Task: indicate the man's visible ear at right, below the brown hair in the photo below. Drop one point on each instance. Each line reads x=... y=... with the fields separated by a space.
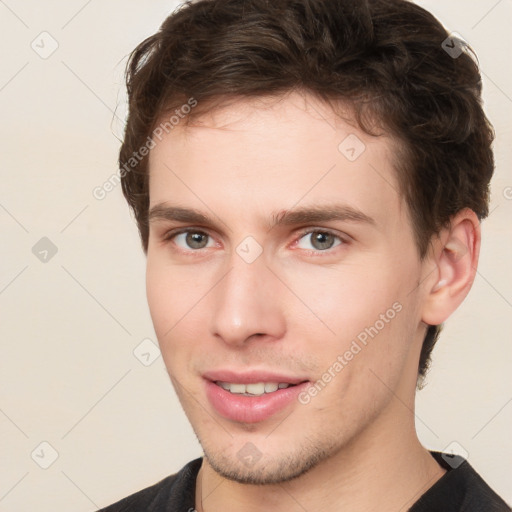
x=454 y=254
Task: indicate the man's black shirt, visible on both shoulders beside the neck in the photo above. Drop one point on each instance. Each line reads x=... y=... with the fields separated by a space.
x=460 y=489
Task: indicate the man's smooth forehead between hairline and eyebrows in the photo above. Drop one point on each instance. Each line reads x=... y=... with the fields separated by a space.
x=270 y=153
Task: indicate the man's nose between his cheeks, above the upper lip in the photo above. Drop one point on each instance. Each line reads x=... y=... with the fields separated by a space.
x=246 y=303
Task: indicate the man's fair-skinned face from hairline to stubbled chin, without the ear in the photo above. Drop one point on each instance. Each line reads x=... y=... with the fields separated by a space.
x=251 y=296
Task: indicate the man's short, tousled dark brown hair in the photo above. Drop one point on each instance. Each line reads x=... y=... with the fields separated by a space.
x=384 y=58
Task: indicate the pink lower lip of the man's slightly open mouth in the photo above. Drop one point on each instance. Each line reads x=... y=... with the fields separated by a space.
x=251 y=409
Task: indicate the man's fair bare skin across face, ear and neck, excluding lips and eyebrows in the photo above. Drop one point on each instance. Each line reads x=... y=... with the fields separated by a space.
x=297 y=307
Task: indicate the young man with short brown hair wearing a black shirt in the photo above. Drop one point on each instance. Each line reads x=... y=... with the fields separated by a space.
x=308 y=178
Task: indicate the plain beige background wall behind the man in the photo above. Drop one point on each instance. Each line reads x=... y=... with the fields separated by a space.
x=70 y=325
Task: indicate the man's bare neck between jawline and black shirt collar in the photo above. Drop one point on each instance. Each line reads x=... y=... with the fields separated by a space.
x=384 y=469
